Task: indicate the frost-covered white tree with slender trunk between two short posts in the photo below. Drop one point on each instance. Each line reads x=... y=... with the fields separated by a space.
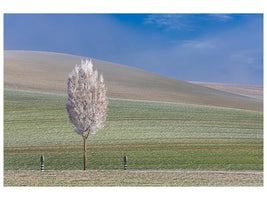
x=87 y=101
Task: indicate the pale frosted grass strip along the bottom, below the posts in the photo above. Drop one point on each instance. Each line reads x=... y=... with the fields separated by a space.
x=131 y=178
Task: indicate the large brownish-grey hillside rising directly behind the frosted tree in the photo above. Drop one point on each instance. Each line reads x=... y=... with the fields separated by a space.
x=48 y=72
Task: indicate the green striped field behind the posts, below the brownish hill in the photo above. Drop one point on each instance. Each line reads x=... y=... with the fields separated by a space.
x=154 y=136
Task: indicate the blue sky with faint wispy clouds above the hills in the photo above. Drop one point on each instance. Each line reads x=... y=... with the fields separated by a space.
x=225 y=48
